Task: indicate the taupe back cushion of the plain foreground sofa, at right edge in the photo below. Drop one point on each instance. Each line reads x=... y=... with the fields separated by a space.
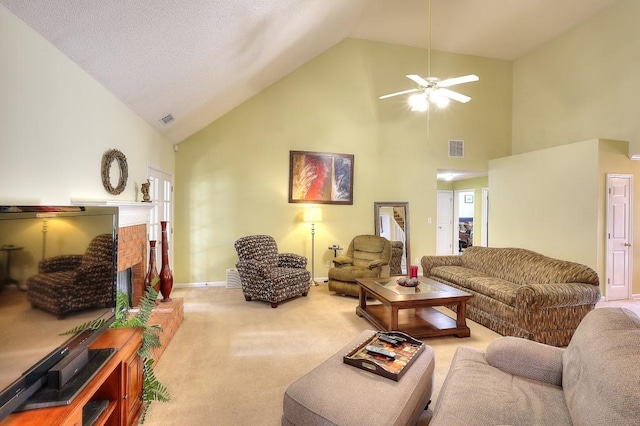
x=601 y=369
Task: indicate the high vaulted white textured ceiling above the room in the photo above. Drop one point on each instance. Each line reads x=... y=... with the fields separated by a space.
x=198 y=59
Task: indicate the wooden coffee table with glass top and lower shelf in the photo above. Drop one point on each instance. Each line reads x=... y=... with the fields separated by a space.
x=410 y=309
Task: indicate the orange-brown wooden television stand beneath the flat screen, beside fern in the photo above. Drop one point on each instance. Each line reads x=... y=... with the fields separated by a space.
x=117 y=384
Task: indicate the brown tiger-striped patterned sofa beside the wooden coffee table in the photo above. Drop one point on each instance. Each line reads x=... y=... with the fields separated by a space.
x=517 y=292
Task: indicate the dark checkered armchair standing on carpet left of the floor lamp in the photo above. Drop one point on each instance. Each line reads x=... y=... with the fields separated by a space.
x=268 y=275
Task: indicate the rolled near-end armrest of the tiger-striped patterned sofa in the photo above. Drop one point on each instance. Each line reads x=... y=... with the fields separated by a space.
x=556 y=295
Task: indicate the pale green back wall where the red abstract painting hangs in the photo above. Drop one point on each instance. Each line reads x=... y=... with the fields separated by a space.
x=232 y=177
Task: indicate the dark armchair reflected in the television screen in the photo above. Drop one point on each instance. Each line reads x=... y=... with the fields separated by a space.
x=69 y=283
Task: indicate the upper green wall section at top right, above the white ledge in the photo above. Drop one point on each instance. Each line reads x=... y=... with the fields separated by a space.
x=581 y=85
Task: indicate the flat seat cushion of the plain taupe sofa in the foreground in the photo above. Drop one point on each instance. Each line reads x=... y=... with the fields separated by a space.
x=475 y=393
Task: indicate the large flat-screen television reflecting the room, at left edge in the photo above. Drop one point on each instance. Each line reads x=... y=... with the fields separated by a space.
x=58 y=269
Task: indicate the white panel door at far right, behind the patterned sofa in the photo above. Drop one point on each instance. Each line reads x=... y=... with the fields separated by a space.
x=619 y=235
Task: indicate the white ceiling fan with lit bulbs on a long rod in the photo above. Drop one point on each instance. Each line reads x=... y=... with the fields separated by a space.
x=432 y=89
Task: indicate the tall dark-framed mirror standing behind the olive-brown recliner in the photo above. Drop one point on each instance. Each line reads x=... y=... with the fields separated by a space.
x=392 y=222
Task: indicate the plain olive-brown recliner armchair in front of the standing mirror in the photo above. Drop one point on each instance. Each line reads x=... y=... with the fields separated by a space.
x=368 y=256
